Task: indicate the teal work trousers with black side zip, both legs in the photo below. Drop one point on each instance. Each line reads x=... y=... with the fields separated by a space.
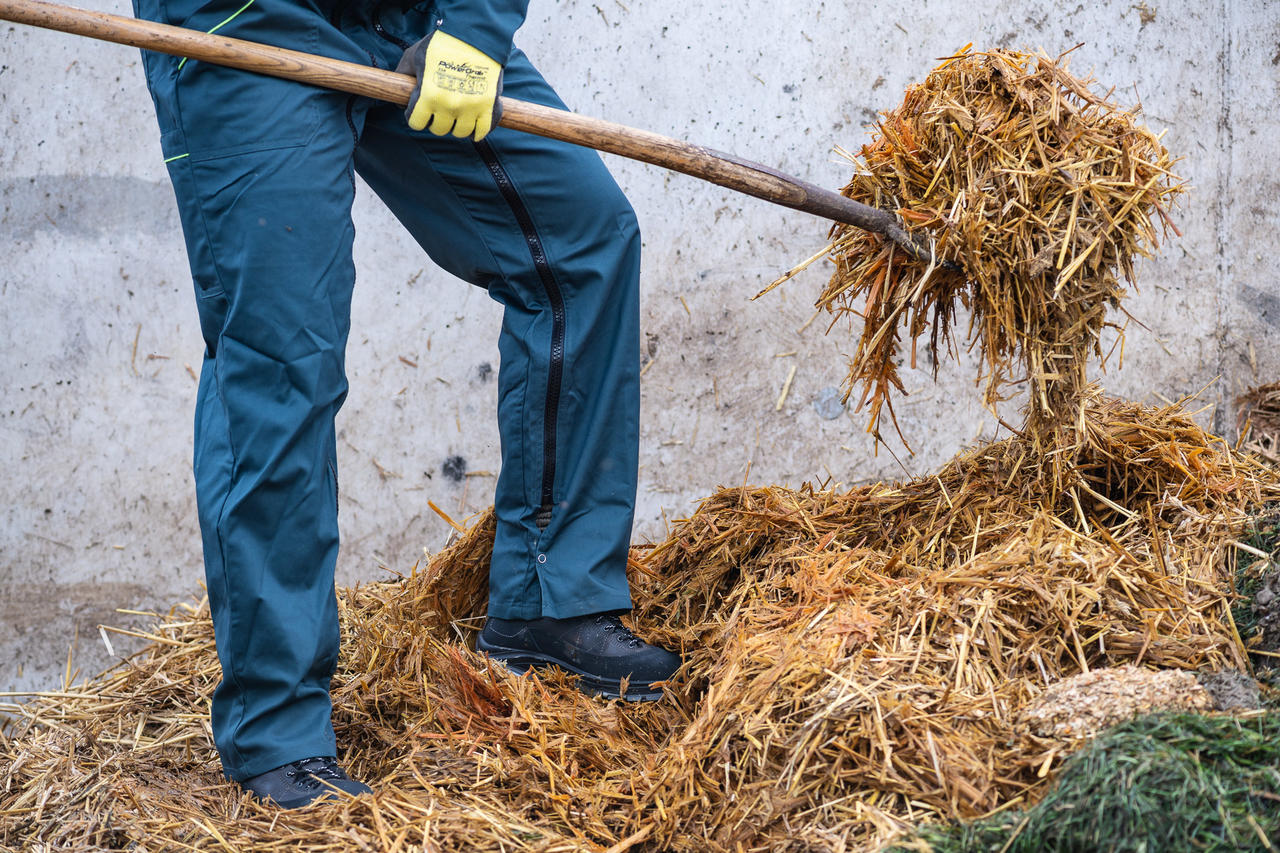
x=263 y=171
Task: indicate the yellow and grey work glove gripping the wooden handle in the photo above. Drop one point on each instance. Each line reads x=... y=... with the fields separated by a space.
x=458 y=88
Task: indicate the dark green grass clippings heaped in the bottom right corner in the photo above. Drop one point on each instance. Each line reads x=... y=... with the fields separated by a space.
x=1160 y=783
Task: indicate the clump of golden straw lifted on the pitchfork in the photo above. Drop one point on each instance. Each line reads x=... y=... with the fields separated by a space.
x=1039 y=188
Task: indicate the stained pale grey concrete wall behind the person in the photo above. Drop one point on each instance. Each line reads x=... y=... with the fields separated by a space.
x=99 y=337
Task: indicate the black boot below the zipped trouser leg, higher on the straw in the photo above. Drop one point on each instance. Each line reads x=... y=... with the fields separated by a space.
x=598 y=649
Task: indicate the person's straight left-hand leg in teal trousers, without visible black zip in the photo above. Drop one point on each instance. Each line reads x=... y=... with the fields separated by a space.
x=262 y=170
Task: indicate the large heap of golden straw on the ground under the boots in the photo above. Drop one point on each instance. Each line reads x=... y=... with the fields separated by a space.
x=856 y=664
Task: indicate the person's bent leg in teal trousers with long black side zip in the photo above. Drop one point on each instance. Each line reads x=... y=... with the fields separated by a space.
x=543 y=226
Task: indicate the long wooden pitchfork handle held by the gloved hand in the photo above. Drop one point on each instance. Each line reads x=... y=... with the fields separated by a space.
x=716 y=167
